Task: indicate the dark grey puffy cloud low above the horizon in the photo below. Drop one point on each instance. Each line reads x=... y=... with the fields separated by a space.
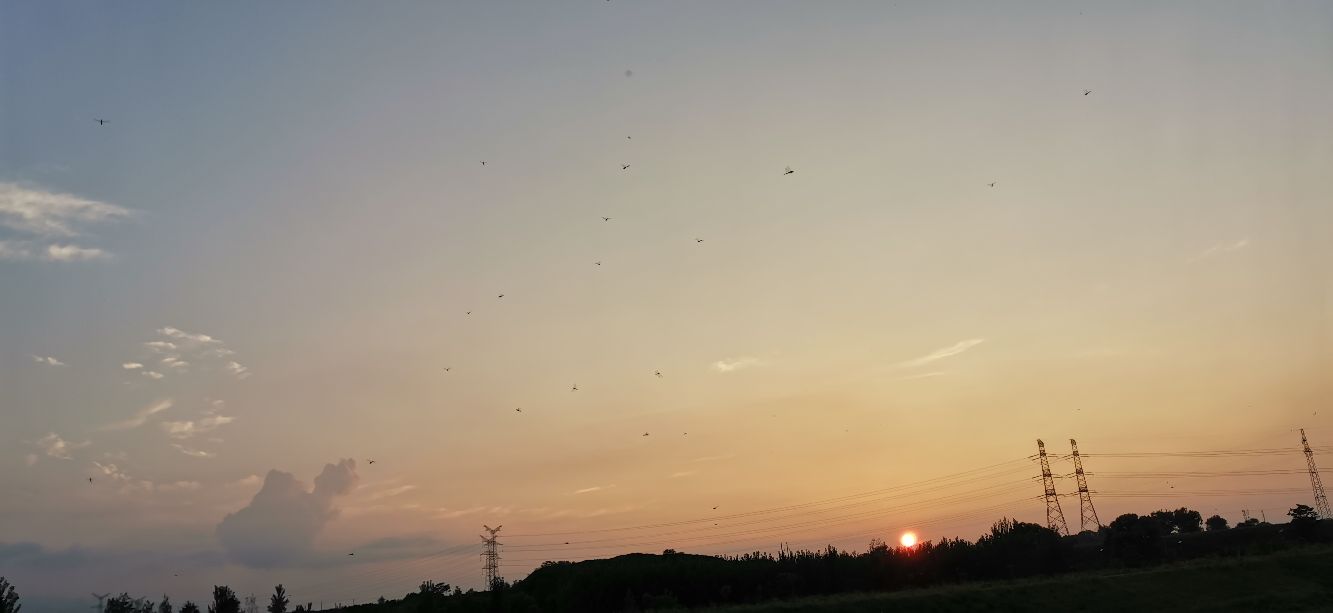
x=279 y=526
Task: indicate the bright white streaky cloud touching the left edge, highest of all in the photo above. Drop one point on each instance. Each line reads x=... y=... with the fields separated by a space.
x=41 y=215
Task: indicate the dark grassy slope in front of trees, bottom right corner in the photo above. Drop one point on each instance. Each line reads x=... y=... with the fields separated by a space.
x=1299 y=580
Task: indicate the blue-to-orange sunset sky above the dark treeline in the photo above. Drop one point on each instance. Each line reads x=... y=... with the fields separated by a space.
x=282 y=258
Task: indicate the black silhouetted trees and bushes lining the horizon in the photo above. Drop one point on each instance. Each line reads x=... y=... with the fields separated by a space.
x=971 y=575
